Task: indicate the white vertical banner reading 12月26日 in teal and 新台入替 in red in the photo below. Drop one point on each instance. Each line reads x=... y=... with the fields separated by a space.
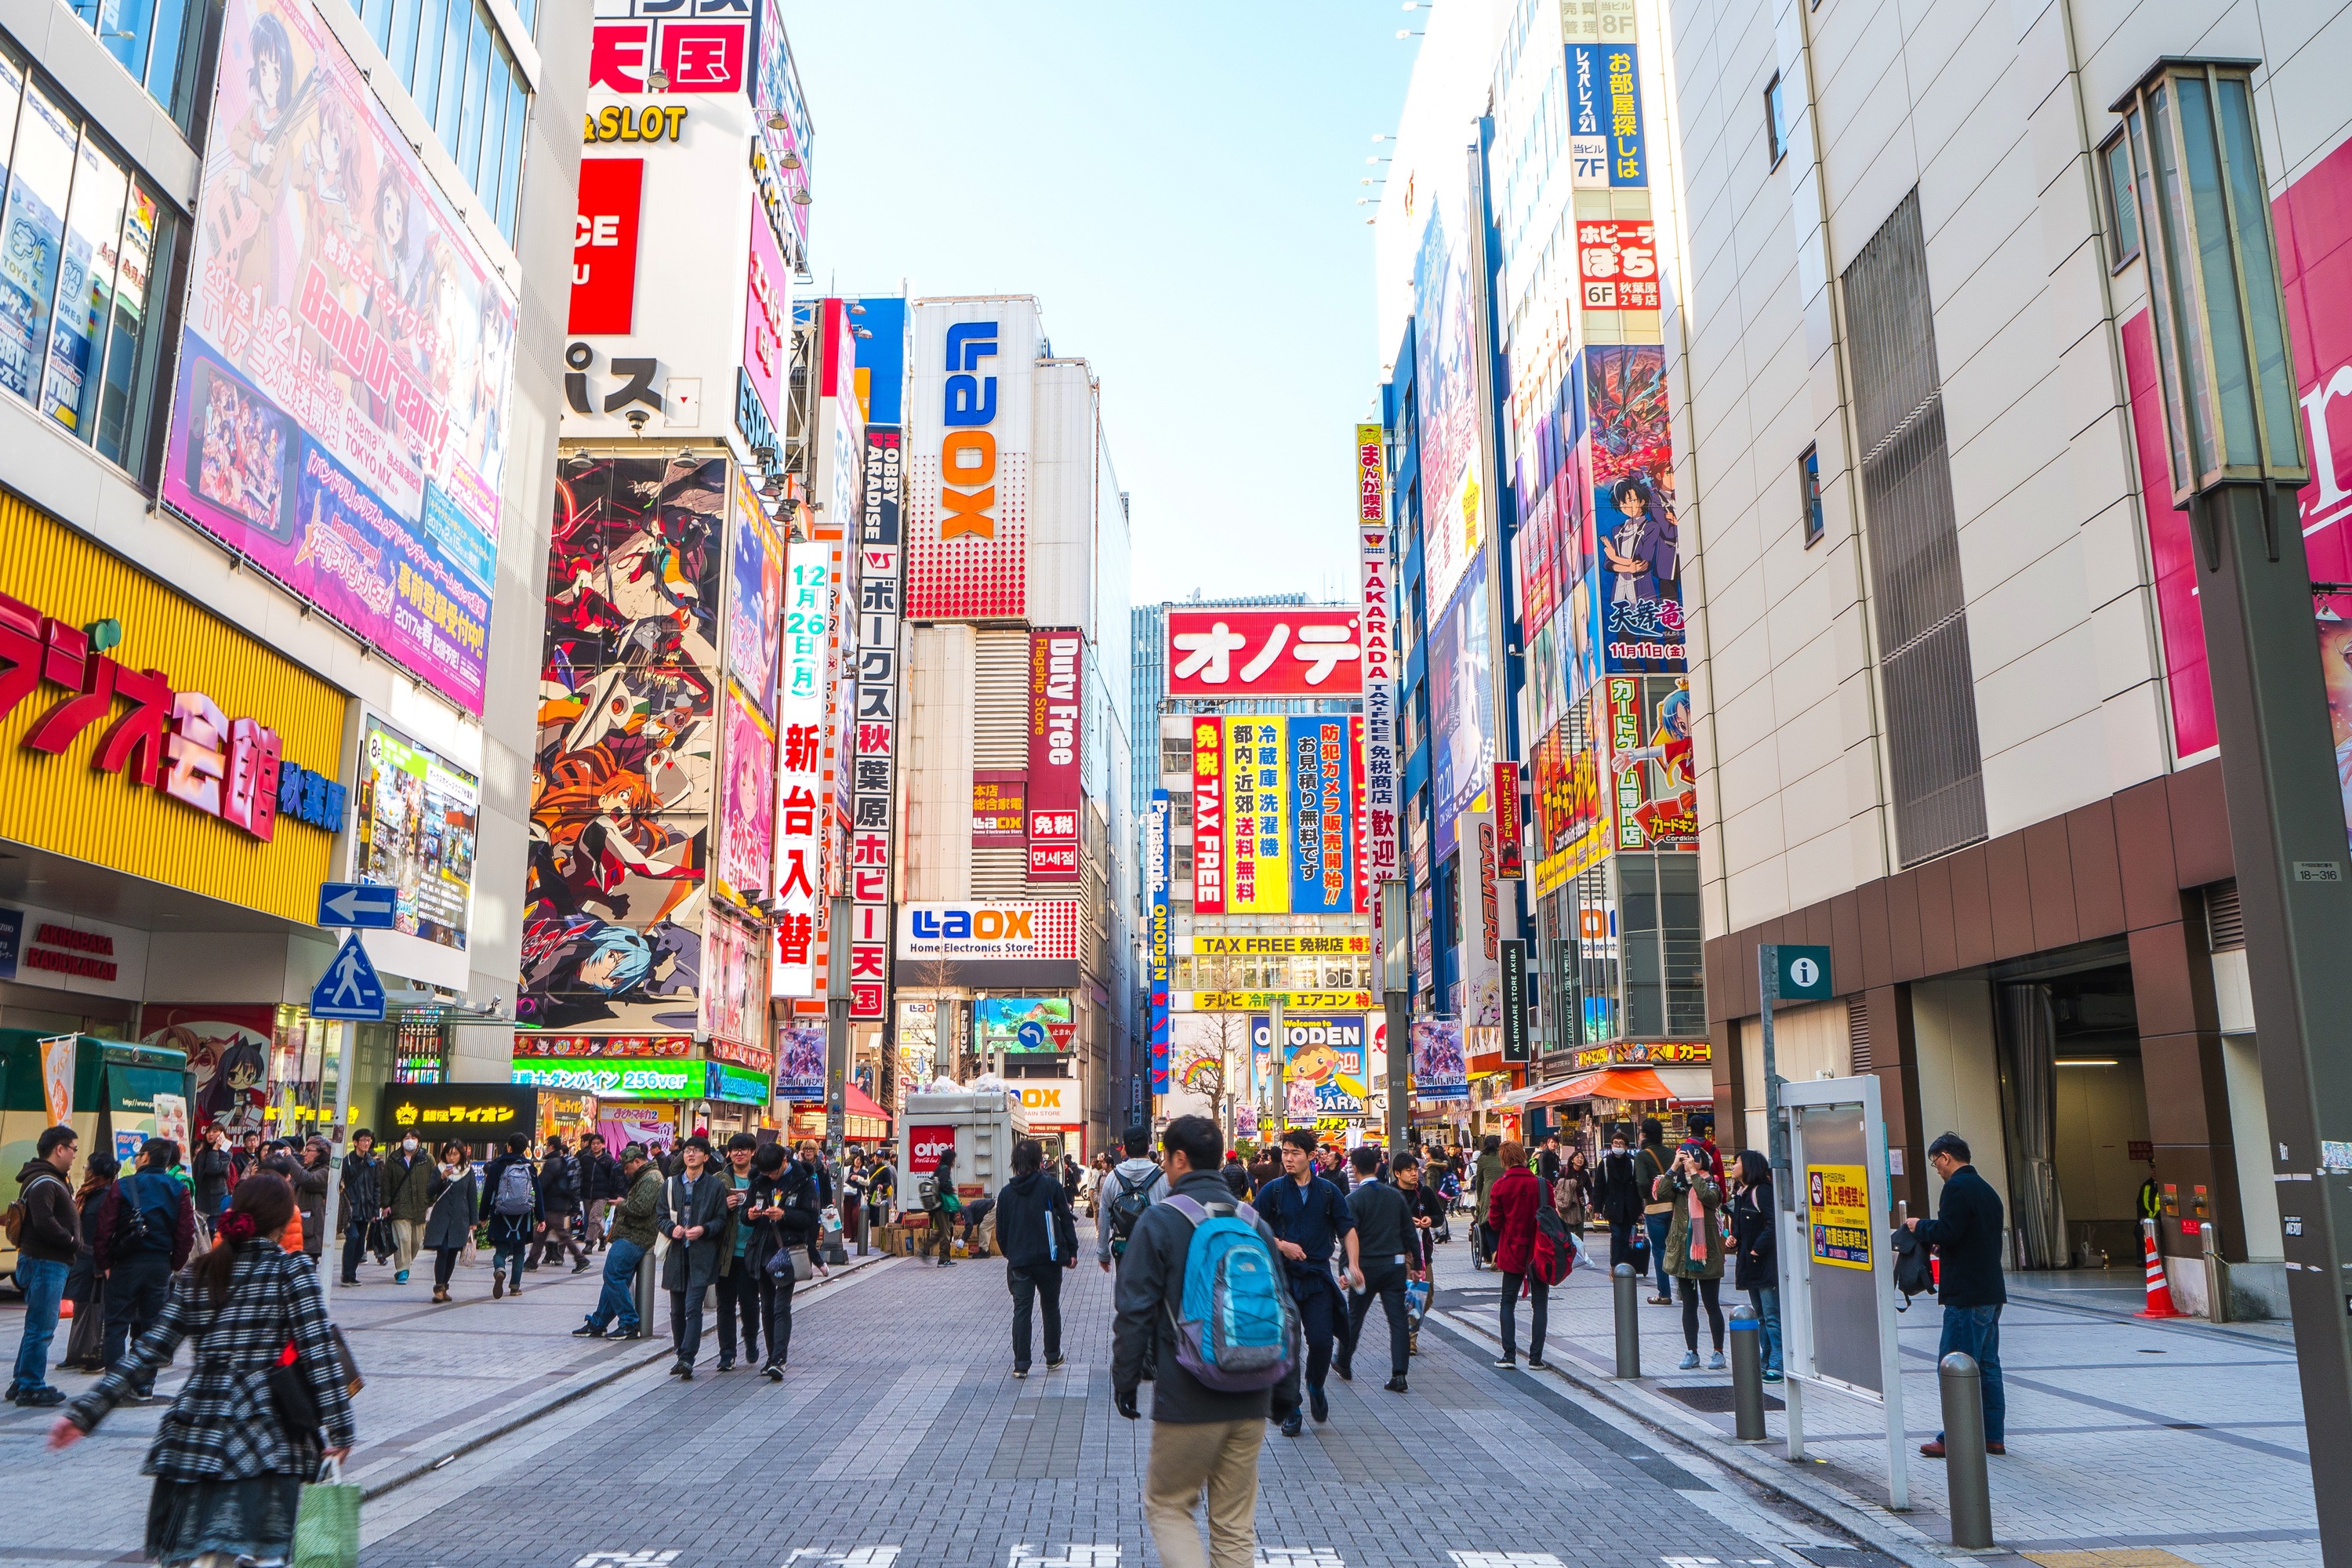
x=801 y=723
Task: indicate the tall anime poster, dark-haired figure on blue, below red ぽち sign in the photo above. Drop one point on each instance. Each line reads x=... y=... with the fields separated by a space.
x=1629 y=427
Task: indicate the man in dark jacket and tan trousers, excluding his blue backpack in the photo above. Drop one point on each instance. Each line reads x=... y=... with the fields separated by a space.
x=1201 y=1438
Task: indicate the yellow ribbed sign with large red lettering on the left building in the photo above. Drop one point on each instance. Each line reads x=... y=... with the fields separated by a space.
x=163 y=756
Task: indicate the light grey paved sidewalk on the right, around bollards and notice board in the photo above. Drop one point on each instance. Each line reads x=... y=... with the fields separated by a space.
x=2123 y=1435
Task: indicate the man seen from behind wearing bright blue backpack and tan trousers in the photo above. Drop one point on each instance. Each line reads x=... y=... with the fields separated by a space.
x=1215 y=1379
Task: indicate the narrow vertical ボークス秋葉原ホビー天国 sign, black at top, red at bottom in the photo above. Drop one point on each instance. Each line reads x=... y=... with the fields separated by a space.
x=874 y=786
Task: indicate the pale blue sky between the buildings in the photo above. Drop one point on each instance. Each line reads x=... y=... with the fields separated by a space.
x=1177 y=187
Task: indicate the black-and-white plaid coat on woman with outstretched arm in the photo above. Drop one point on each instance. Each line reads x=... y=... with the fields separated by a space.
x=225 y=1426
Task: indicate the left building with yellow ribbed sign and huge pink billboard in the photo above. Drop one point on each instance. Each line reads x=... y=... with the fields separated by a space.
x=279 y=396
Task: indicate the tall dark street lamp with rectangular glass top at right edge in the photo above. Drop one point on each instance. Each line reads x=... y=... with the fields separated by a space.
x=2238 y=460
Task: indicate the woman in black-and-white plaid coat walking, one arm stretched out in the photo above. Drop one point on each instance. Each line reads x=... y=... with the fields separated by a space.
x=229 y=1473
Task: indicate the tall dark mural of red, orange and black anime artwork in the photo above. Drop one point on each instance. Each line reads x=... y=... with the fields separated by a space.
x=627 y=725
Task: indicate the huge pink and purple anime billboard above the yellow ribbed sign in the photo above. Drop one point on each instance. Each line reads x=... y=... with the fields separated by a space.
x=347 y=359
